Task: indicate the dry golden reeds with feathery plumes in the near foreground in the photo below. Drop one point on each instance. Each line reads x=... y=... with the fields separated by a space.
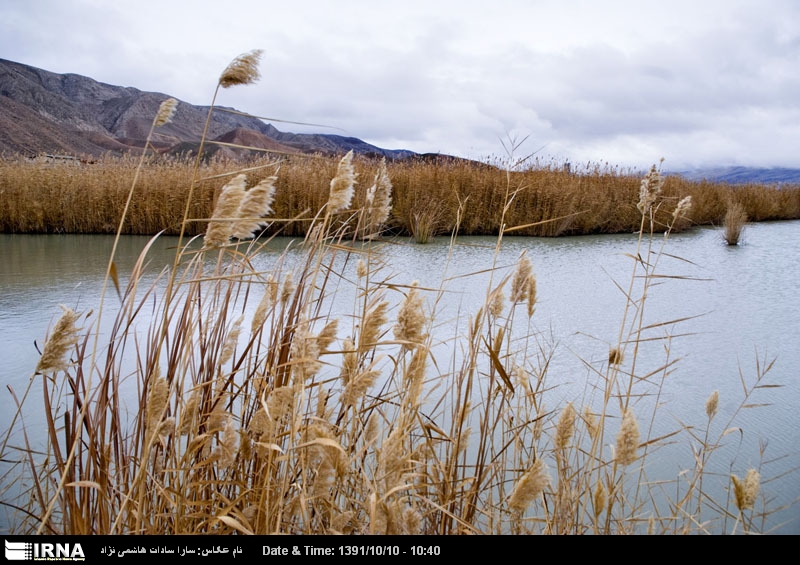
x=241 y=401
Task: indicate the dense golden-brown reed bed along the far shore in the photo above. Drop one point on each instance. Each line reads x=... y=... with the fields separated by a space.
x=431 y=196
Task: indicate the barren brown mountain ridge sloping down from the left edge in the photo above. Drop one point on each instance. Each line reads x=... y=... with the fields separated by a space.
x=45 y=112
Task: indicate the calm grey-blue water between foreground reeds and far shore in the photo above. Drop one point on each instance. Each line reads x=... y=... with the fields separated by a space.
x=740 y=305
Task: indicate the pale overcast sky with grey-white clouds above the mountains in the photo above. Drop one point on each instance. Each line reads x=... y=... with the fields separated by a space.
x=624 y=83
